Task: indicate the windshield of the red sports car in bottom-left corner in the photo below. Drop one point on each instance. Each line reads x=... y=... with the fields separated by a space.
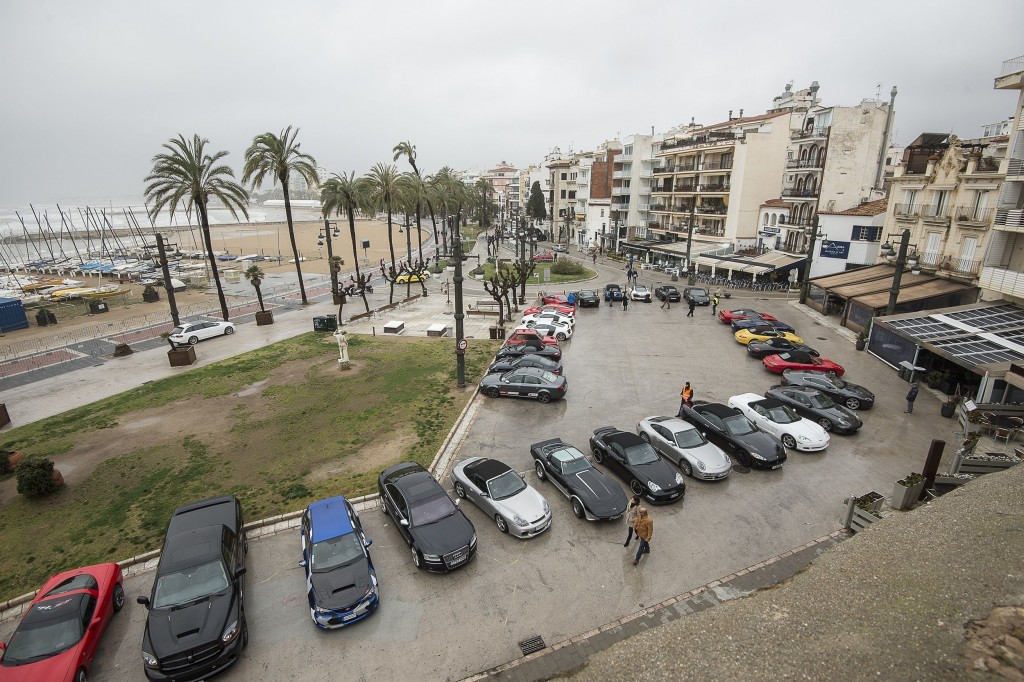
x=52 y=627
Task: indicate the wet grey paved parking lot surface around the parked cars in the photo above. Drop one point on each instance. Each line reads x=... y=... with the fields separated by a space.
x=621 y=367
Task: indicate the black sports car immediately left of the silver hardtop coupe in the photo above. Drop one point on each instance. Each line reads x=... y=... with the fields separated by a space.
x=636 y=462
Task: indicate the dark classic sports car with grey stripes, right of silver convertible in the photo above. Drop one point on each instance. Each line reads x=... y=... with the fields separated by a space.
x=594 y=496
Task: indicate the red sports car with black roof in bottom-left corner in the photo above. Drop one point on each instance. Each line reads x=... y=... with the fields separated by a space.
x=60 y=633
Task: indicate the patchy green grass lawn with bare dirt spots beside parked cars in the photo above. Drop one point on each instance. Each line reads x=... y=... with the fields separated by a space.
x=311 y=432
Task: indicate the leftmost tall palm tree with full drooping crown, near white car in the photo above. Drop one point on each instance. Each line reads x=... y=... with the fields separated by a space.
x=186 y=176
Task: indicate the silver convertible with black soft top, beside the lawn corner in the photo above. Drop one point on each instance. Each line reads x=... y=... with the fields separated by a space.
x=502 y=495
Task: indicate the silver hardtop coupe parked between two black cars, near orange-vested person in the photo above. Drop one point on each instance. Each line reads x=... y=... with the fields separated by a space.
x=684 y=445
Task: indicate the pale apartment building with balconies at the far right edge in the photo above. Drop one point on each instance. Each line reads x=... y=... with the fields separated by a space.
x=1003 y=271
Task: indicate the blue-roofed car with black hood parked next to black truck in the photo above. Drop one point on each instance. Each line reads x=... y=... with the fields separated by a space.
x=342 y=583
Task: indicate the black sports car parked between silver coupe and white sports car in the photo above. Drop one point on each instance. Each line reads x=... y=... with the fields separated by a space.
x=731 y=431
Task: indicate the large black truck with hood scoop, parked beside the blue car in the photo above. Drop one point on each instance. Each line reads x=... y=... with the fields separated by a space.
x=197 y=625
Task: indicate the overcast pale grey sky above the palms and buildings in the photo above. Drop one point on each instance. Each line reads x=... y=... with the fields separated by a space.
x=93 y=90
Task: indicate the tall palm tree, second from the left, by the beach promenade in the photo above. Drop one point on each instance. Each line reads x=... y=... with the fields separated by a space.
x=279 y=156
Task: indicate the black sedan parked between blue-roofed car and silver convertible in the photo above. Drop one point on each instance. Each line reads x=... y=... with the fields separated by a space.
x=440 y=536
